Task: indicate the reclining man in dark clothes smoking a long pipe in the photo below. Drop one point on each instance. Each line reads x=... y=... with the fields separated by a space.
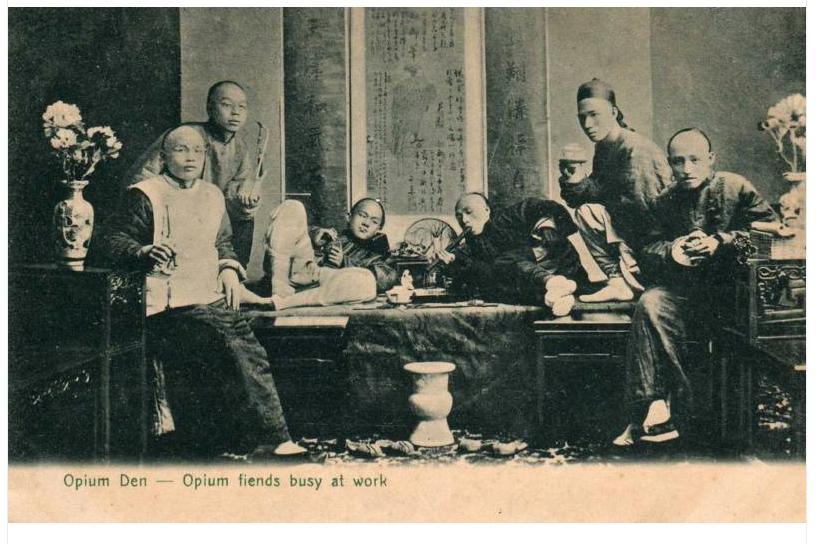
x=520 y=254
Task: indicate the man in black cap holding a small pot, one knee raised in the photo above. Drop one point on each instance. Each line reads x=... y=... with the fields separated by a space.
x=613 y=202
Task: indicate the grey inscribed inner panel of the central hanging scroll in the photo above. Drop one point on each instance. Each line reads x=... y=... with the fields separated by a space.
x=415 y=108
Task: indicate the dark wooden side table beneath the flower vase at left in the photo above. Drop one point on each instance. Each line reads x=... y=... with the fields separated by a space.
x=77 y=368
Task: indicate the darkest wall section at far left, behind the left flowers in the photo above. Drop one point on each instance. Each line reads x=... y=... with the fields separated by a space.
x=121 y=67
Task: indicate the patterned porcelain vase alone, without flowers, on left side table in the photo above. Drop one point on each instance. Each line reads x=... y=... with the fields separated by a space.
x=73 y=224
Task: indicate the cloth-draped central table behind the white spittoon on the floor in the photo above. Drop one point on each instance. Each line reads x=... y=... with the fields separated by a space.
x=492 y=346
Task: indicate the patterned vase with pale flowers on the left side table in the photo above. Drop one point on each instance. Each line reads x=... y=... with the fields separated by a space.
x=80 y=151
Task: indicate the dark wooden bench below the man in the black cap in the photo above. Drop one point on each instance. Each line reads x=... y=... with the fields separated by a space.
x=582 y=356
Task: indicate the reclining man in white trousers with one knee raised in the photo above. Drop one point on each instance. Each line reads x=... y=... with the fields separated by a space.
x=315 y=266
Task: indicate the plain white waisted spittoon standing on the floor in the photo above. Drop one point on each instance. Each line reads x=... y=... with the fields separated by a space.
x=431 y=402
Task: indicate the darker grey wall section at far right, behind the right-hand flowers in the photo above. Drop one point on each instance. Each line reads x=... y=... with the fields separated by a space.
x=721 y=69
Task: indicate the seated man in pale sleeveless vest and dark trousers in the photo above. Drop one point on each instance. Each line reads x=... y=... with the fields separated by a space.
x=175 y=227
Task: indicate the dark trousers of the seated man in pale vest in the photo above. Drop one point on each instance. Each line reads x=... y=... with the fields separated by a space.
x=218 y=379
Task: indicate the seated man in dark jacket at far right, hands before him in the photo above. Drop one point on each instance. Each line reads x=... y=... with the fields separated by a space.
x=703 y=217
